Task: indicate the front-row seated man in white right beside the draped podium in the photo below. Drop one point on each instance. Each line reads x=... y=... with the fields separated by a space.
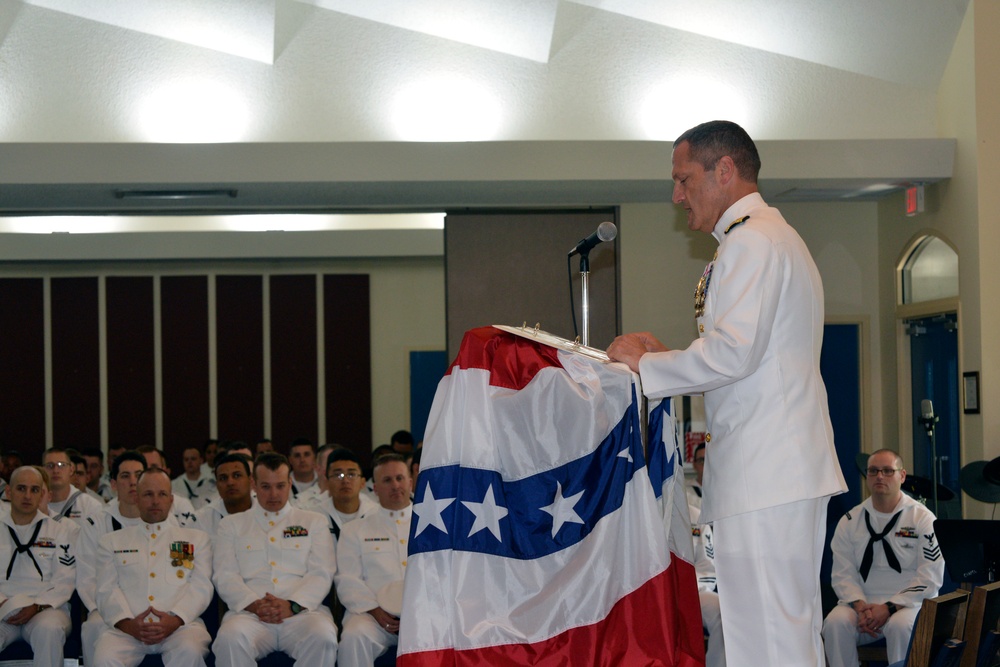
x=372 y=558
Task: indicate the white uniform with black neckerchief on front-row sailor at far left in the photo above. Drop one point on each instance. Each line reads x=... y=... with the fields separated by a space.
x=45 y=574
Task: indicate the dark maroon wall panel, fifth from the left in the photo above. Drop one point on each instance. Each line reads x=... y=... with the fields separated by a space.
x=239 y=356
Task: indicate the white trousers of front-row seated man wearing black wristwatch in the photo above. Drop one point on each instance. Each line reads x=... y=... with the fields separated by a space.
x=309 y=638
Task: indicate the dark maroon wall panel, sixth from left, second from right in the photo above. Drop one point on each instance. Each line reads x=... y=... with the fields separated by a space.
x=294 y=384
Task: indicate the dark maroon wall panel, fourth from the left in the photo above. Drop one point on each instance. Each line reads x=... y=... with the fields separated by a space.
x=184 y=336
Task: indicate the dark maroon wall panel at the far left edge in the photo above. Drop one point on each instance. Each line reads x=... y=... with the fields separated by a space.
x=22 y=365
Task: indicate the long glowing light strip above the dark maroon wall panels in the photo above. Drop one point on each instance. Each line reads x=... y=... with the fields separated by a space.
x=284 y=222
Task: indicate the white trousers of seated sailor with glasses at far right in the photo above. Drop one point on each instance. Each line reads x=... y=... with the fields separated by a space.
x=841 y=637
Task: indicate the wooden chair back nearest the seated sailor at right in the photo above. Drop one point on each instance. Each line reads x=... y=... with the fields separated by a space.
x=935 y=641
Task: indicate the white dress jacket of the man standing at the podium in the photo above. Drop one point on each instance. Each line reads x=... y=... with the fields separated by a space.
x=757 y=362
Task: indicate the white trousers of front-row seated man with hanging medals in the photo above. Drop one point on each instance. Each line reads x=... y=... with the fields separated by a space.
x=186 y=647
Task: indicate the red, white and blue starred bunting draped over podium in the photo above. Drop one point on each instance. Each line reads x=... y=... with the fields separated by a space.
x=537 y=537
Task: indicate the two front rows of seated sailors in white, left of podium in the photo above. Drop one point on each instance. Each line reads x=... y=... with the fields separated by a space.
x=146 y=565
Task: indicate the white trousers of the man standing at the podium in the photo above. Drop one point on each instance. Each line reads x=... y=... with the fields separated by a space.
x=767 y=564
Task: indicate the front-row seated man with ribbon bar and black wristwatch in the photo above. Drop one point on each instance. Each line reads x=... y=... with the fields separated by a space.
x=274 y=565
